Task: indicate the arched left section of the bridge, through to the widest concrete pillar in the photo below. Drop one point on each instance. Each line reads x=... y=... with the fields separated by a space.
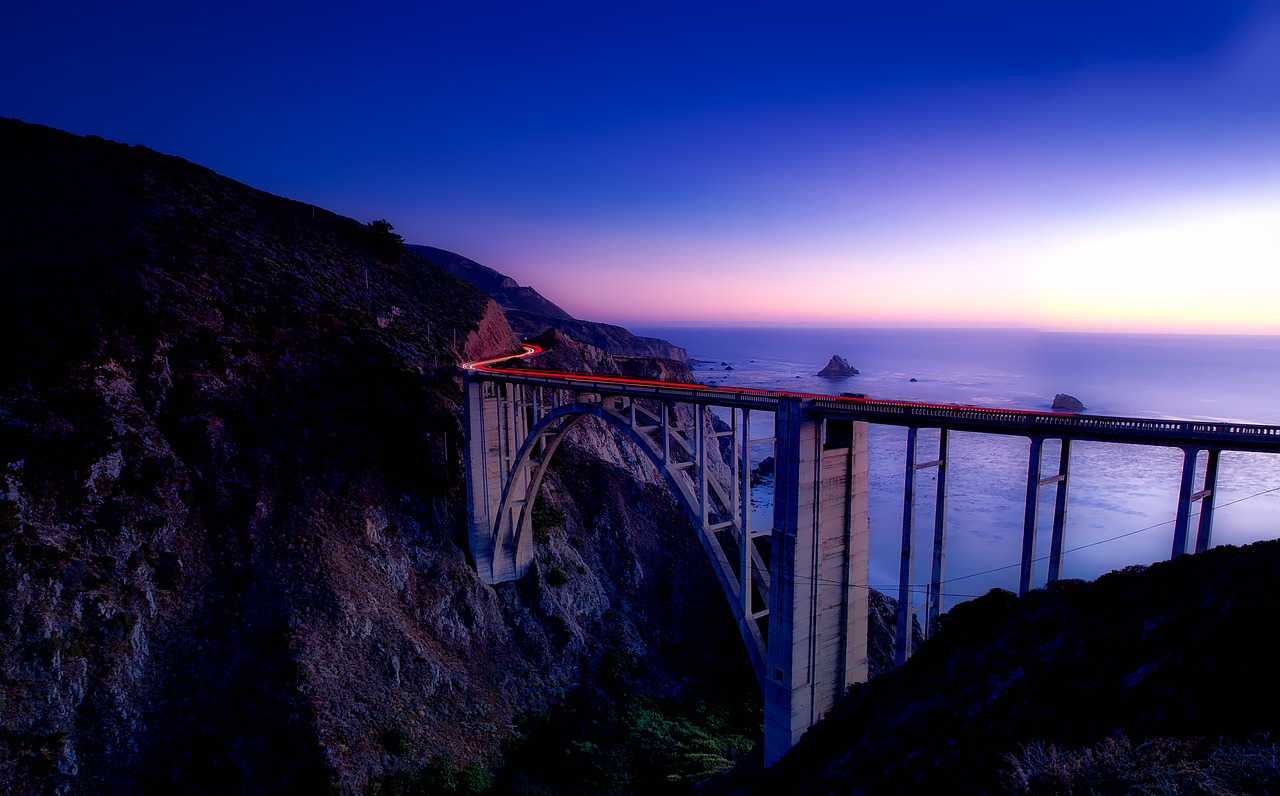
x=798 y=591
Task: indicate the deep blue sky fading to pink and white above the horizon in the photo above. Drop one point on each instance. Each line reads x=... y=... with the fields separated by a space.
x=1084 y=166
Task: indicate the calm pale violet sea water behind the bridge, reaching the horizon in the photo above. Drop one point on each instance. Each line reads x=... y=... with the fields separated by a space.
x=1122 y=498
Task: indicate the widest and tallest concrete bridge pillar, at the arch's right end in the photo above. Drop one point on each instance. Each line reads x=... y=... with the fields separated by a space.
x=817 y=643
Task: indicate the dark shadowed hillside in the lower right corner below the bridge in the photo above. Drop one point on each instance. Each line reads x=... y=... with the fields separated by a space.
x=1150 y=680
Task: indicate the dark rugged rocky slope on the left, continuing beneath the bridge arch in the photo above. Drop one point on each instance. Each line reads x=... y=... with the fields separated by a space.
x=232 y=534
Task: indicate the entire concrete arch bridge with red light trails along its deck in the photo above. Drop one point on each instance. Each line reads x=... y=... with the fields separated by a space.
x=799 y=588
